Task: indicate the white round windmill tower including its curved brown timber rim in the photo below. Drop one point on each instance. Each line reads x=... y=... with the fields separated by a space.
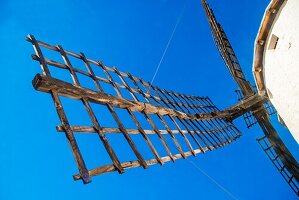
x=275 y=61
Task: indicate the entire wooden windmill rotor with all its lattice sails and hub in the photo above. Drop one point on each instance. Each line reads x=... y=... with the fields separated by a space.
x=171 y=125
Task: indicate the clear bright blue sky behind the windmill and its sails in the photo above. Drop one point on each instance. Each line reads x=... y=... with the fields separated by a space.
x=36 y=162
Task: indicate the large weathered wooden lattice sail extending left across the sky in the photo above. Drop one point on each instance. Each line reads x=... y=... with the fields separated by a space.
x=171 y=125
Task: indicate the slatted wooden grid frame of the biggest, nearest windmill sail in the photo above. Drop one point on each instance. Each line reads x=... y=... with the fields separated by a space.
x=188 y=114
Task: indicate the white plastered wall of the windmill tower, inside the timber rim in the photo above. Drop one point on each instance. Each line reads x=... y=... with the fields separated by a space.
x=281 y=66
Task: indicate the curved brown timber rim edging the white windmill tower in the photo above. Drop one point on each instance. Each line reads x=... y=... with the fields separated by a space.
x=272 y=12
